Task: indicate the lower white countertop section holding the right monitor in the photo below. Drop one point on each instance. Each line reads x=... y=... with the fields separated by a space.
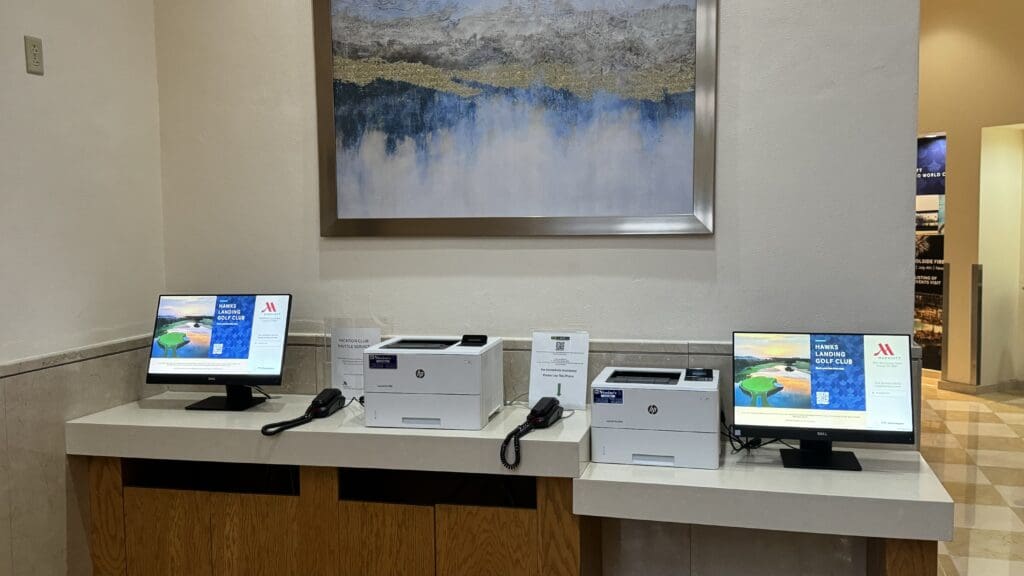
x=895 y=497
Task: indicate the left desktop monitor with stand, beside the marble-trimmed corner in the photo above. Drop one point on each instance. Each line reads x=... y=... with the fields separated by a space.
x=235 y=341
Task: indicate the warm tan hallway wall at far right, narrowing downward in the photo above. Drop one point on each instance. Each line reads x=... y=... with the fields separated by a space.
x=972 y=76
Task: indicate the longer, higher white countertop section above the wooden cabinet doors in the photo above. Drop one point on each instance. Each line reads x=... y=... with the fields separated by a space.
x=160 y=428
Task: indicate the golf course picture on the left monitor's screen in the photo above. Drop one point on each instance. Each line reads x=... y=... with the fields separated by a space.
x=184 y=327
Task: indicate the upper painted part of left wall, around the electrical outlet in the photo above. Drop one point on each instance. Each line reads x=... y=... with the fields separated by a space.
x=81 y=257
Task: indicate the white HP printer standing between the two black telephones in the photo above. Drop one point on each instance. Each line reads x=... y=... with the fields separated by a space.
x=433 y=383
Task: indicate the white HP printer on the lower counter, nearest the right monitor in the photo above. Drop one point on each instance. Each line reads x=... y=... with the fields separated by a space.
x=659 y=418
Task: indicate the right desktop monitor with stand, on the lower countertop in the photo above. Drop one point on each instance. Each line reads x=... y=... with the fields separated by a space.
x=823 y=388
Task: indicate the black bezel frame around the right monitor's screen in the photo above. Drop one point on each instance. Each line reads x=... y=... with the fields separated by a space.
x=832 y=435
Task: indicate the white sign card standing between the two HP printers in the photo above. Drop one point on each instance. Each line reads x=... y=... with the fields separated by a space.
x=559 y=368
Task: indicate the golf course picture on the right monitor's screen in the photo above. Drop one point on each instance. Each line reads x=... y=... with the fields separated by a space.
x=773 y=372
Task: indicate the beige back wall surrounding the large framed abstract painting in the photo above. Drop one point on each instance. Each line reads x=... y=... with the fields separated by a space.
x=814 y=227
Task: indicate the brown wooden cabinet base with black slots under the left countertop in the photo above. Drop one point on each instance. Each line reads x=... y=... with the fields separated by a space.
x=304 y=524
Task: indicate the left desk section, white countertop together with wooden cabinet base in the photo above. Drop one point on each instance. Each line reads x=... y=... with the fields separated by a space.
x=185 y=492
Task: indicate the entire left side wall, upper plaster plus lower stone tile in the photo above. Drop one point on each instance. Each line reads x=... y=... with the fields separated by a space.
x=81 y=253
